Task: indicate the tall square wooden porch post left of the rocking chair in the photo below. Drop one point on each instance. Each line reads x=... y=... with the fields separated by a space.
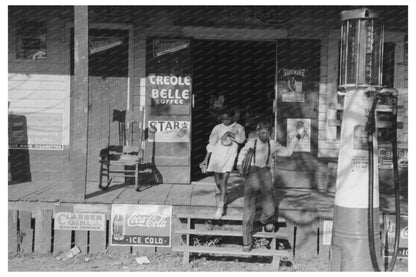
x=79 y=100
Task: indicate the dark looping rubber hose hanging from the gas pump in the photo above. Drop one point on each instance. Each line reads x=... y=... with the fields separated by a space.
x=371 y=128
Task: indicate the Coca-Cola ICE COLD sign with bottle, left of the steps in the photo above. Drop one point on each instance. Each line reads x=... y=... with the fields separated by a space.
x=141 y=225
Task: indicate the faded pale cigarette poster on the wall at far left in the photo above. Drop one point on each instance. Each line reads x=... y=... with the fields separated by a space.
x=40 y=130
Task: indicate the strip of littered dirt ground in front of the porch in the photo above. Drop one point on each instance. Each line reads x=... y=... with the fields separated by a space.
x=162 y=262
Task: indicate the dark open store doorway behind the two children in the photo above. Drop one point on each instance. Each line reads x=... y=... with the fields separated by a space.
x=239 y=75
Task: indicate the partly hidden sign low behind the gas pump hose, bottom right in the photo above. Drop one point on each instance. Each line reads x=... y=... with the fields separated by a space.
x=390 y=230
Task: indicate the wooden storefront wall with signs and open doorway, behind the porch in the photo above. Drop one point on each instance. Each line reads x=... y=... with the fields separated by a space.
x=178 y=66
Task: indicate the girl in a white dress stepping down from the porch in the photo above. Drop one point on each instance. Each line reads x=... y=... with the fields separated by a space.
x=221 y=153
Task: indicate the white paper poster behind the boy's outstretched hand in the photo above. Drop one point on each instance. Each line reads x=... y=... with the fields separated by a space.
x=293 y=125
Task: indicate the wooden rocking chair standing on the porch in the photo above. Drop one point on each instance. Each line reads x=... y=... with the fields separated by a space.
x=124 y=156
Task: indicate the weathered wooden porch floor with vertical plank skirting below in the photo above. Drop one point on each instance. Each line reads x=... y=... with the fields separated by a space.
x=32 y=207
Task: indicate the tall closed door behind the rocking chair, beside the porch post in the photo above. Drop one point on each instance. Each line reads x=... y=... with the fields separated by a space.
x=108 y=71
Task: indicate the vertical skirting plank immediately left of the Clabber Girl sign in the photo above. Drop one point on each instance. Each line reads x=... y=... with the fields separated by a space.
x=43 y=231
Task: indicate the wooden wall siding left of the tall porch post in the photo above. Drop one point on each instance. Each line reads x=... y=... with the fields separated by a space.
x=42 y=85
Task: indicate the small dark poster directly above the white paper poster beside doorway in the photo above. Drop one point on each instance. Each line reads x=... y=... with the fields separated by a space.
x=290 y=85
